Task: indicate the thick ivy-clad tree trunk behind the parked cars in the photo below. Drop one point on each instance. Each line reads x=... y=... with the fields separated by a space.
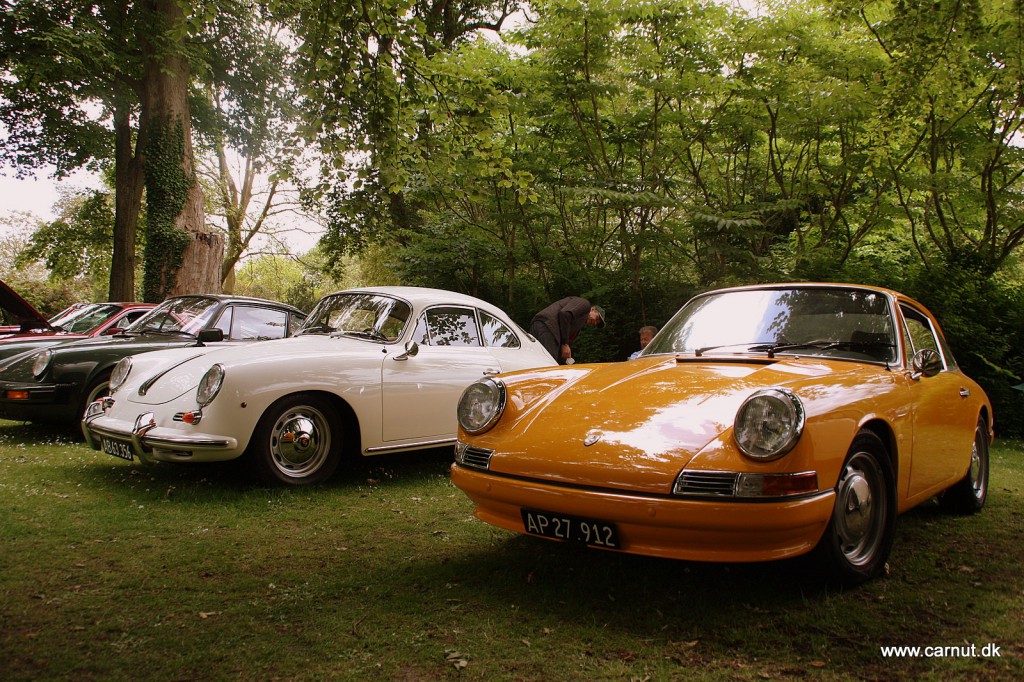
x=180 y=250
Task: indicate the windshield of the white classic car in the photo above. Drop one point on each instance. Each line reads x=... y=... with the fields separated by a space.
x=359 y=314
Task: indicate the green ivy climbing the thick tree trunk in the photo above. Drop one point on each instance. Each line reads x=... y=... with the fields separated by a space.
x=167 y=190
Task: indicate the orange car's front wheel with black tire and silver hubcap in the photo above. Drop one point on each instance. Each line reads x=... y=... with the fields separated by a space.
x=857 y=544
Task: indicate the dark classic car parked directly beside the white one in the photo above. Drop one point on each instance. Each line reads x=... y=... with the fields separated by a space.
x=57 y=383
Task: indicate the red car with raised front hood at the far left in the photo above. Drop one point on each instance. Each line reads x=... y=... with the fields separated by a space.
x=24 y=328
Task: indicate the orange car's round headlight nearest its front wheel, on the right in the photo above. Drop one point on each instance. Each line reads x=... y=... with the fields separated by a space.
x=769 y=424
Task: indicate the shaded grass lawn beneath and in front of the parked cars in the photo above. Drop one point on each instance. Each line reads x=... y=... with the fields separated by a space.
x=113 y=572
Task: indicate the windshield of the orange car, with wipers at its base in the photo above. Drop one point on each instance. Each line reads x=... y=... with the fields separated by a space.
x=840 y=323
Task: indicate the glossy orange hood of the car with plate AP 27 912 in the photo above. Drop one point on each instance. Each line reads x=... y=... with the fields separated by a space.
x=635 y=425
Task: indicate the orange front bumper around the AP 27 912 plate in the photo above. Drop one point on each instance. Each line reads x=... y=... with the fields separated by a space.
x=672 y=528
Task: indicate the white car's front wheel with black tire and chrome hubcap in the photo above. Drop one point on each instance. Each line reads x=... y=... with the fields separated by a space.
x=298 y=442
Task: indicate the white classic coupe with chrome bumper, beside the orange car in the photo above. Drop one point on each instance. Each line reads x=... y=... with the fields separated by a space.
x=373 y=371
